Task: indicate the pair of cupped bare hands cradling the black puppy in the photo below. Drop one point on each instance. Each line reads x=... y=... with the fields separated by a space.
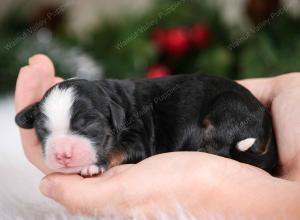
x=200 y=183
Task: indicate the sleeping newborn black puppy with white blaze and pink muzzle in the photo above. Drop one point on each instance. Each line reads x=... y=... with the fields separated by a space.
x=87 y=127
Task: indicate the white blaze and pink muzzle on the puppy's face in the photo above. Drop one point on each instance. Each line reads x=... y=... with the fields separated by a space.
x=64 y=151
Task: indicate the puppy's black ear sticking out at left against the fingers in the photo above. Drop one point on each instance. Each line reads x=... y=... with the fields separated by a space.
x=26 y=117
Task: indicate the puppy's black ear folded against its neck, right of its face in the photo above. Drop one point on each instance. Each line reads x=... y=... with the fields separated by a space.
x=117 y=115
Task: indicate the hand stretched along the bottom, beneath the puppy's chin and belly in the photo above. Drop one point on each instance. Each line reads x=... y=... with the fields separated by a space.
x=199 y=184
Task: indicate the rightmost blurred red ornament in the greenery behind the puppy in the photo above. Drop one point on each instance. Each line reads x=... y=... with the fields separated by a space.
x=199 y=35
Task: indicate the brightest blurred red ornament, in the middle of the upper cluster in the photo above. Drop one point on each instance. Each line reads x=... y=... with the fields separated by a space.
x=177 y=41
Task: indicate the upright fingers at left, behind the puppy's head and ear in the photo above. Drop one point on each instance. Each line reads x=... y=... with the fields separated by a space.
x=32 y=83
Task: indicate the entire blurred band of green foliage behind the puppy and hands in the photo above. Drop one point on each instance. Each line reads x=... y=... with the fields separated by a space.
x=123 y=46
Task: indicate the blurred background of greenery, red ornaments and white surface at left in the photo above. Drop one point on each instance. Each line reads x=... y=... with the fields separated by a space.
x=132 y=39
